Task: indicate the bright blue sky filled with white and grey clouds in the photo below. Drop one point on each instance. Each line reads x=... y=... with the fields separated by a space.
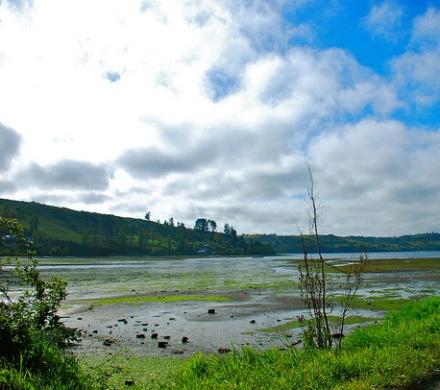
x=214 y=108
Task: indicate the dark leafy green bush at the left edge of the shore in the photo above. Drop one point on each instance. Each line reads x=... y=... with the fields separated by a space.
x=32 y=338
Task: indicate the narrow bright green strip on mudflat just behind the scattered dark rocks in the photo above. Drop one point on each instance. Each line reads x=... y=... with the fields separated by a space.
x=138 y=299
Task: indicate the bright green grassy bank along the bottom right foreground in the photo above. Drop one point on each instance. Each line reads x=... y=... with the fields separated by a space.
x=403 y=350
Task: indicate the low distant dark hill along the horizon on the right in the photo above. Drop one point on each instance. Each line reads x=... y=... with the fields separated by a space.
x=336 y=244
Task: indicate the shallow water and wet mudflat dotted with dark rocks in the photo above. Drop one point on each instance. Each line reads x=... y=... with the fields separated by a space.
x=263 y=292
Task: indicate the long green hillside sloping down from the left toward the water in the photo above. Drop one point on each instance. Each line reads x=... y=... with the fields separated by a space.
x=62 y=231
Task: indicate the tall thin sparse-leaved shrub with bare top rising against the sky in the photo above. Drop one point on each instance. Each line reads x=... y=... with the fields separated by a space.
x=314 y=285
